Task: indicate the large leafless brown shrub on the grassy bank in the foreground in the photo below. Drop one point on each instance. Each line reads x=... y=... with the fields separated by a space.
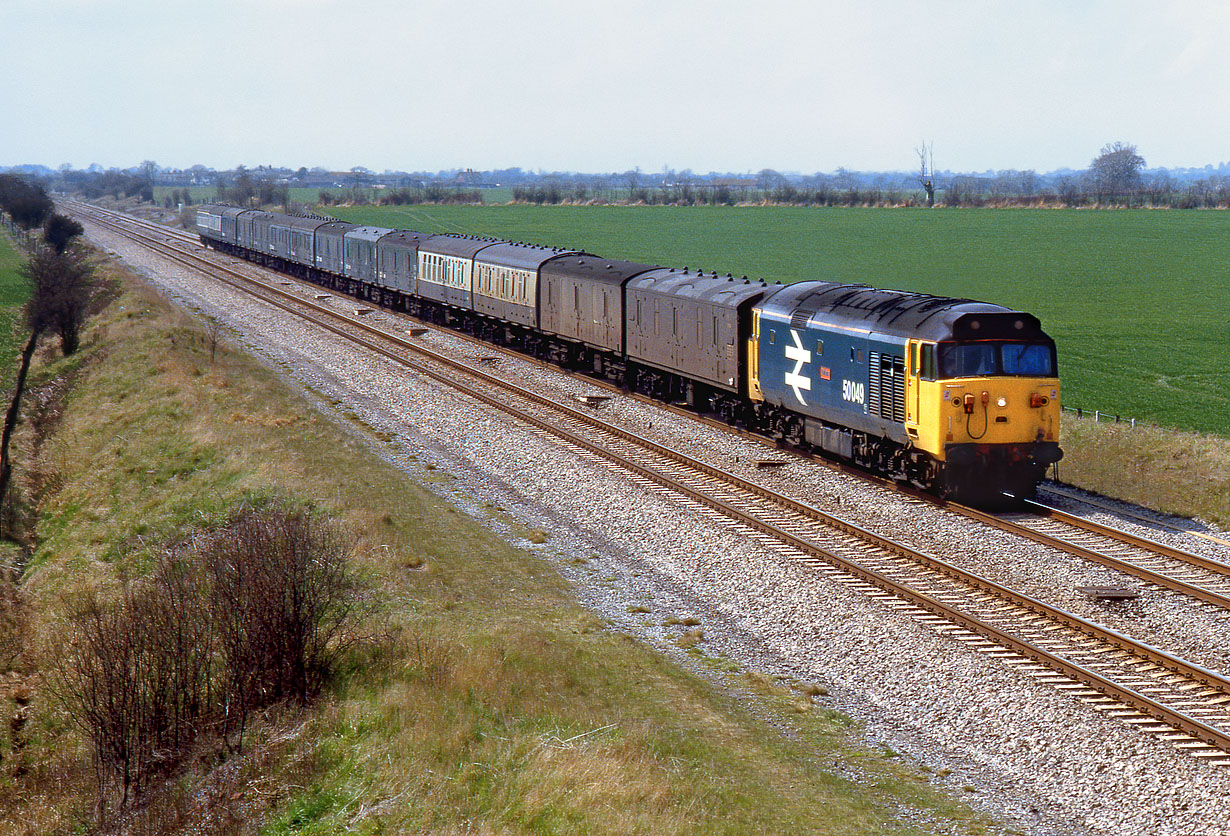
x=249 y=617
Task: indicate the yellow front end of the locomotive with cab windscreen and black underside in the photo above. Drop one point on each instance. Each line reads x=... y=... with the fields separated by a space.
x=986 y=408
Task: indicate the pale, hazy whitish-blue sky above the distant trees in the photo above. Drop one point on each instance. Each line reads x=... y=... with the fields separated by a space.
x=589 y=85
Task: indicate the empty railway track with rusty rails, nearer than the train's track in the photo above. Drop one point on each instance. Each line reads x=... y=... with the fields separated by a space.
x=1145 y=687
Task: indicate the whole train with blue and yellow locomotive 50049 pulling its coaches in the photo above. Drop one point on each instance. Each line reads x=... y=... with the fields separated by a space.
x=954 y=396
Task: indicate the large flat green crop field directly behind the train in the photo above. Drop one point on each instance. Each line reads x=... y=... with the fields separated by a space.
x=1138 y=302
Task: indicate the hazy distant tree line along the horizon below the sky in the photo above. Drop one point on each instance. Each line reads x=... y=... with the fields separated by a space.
x=1116 y=178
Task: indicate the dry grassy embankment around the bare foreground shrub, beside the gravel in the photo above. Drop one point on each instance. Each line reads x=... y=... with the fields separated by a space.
x=490 y=703
